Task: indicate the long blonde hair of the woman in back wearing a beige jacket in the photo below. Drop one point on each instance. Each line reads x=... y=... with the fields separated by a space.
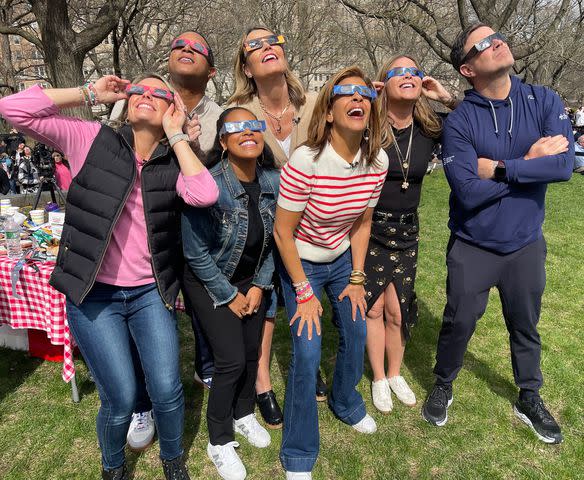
x=246 y=88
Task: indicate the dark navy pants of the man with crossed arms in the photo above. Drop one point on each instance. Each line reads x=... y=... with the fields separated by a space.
x=520 y=279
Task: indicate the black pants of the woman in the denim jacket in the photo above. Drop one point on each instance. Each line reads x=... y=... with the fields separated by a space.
x=235 y=342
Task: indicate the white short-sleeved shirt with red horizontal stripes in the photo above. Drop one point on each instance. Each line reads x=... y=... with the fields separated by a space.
x=332 y=194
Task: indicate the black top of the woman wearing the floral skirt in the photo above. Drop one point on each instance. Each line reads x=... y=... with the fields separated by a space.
x=393 y=197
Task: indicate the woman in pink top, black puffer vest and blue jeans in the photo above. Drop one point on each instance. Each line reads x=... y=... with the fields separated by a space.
x=117 y=264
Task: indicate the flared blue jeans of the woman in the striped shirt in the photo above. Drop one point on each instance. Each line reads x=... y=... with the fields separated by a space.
x=300 y=438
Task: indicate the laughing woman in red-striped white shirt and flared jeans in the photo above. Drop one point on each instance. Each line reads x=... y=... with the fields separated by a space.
x=328 y=191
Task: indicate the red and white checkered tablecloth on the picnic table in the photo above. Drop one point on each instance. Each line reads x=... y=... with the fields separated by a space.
x=42 y=307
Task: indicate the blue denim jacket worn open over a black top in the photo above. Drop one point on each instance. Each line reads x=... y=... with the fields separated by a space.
x=214 y=237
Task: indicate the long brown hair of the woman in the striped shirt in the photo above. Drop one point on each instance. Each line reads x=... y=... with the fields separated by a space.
x=319 y=130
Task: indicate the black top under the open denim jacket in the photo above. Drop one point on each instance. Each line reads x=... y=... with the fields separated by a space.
x=255 y=235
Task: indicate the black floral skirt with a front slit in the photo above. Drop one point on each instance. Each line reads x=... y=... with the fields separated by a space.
x=392 y=257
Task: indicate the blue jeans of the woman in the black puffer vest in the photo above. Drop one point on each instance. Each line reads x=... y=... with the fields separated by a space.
x=104 y=326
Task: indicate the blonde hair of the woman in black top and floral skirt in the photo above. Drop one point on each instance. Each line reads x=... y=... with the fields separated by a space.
x=424 y=116
